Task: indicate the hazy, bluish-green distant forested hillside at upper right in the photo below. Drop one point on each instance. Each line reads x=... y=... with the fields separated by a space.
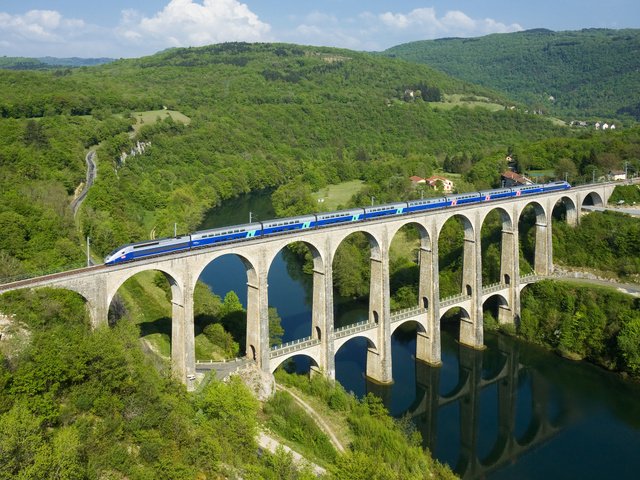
x=586 y=74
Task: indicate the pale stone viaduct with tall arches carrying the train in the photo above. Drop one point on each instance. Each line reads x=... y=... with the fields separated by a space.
x=99 y=284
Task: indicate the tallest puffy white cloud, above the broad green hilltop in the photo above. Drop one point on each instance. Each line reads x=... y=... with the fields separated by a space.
x=183 y=23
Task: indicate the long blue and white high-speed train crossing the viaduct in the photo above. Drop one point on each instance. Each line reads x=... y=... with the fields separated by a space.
x=204 y=238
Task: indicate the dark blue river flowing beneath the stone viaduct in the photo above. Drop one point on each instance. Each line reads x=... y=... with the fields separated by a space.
x=510 y=411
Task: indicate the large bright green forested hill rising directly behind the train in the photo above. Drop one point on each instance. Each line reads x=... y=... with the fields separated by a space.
x=261 y=115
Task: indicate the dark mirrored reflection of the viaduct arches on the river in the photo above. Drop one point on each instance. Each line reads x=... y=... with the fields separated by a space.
x=488 y=413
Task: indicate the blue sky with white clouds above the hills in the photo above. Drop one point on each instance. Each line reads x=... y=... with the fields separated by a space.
x=127 y=28
